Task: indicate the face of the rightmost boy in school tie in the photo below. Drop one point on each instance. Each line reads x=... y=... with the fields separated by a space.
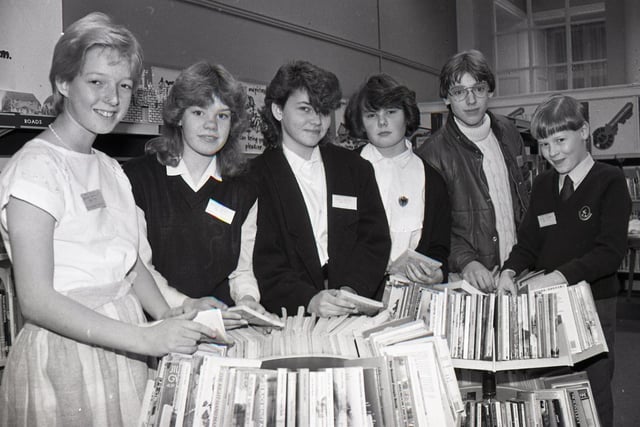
x=564 y=150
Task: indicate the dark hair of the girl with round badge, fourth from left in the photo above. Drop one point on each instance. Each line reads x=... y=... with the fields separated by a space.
x=378 y=92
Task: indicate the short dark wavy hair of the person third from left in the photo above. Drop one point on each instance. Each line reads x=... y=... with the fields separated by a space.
x=322 y=87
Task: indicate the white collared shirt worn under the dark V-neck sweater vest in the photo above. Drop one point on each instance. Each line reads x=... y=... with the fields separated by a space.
x=242 y=281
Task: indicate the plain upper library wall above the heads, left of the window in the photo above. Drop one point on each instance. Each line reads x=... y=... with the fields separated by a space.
x=253 y=38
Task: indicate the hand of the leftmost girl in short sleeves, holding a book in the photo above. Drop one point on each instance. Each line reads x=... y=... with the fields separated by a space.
x=174 y=335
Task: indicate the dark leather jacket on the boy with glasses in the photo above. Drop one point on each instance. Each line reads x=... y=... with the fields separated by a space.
x=473 y=232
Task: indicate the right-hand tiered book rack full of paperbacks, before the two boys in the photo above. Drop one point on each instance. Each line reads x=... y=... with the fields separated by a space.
x=490 y=336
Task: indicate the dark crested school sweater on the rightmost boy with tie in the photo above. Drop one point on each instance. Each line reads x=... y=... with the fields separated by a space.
x=584 y=237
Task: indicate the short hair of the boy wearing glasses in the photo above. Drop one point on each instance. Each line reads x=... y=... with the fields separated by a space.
x=469 y=61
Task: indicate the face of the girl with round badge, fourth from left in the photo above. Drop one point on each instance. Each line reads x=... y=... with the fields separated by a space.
x=386 y=129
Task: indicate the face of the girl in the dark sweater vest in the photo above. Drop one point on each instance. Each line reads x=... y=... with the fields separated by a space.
x=205 y=129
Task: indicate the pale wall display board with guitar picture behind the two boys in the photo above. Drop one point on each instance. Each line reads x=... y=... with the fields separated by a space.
x=612 y=113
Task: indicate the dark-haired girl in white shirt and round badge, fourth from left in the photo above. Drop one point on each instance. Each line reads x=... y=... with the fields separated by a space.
x=414 y=195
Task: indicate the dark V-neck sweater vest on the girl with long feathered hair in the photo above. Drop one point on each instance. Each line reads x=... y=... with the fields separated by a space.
x=192 y=249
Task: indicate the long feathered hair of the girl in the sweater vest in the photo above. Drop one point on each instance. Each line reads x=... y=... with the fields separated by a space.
x=197 y=85
